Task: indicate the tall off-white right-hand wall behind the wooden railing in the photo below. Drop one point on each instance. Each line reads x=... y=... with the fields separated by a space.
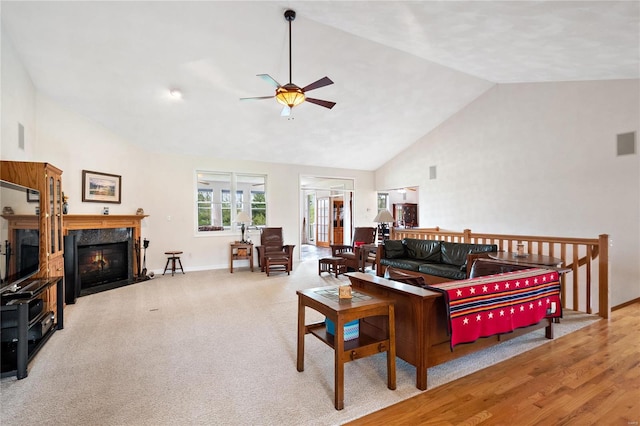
x=536 y=159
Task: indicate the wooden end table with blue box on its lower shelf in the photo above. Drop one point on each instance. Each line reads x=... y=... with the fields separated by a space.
x=341 y=311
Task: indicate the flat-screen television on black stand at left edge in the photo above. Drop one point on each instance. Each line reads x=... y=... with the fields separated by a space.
x=20 y=246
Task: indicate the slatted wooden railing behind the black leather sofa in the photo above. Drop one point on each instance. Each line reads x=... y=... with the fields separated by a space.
x=587 y=259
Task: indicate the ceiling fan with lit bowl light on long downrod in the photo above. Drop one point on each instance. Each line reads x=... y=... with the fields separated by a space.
x=290 y=94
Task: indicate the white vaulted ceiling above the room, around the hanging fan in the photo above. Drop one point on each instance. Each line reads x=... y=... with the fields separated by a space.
x=400 y=67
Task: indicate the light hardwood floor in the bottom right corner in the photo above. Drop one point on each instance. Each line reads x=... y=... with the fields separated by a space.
x=590 y=377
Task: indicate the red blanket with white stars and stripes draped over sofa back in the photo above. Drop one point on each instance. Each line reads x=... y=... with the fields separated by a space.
x=498 y=304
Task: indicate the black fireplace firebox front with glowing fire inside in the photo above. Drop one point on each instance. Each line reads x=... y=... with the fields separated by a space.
x=102 y=263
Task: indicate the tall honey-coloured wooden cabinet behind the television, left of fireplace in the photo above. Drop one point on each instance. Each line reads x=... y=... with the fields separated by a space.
x=47 y=179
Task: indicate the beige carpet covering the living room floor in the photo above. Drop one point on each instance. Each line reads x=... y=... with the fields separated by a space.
x=210 y=348
